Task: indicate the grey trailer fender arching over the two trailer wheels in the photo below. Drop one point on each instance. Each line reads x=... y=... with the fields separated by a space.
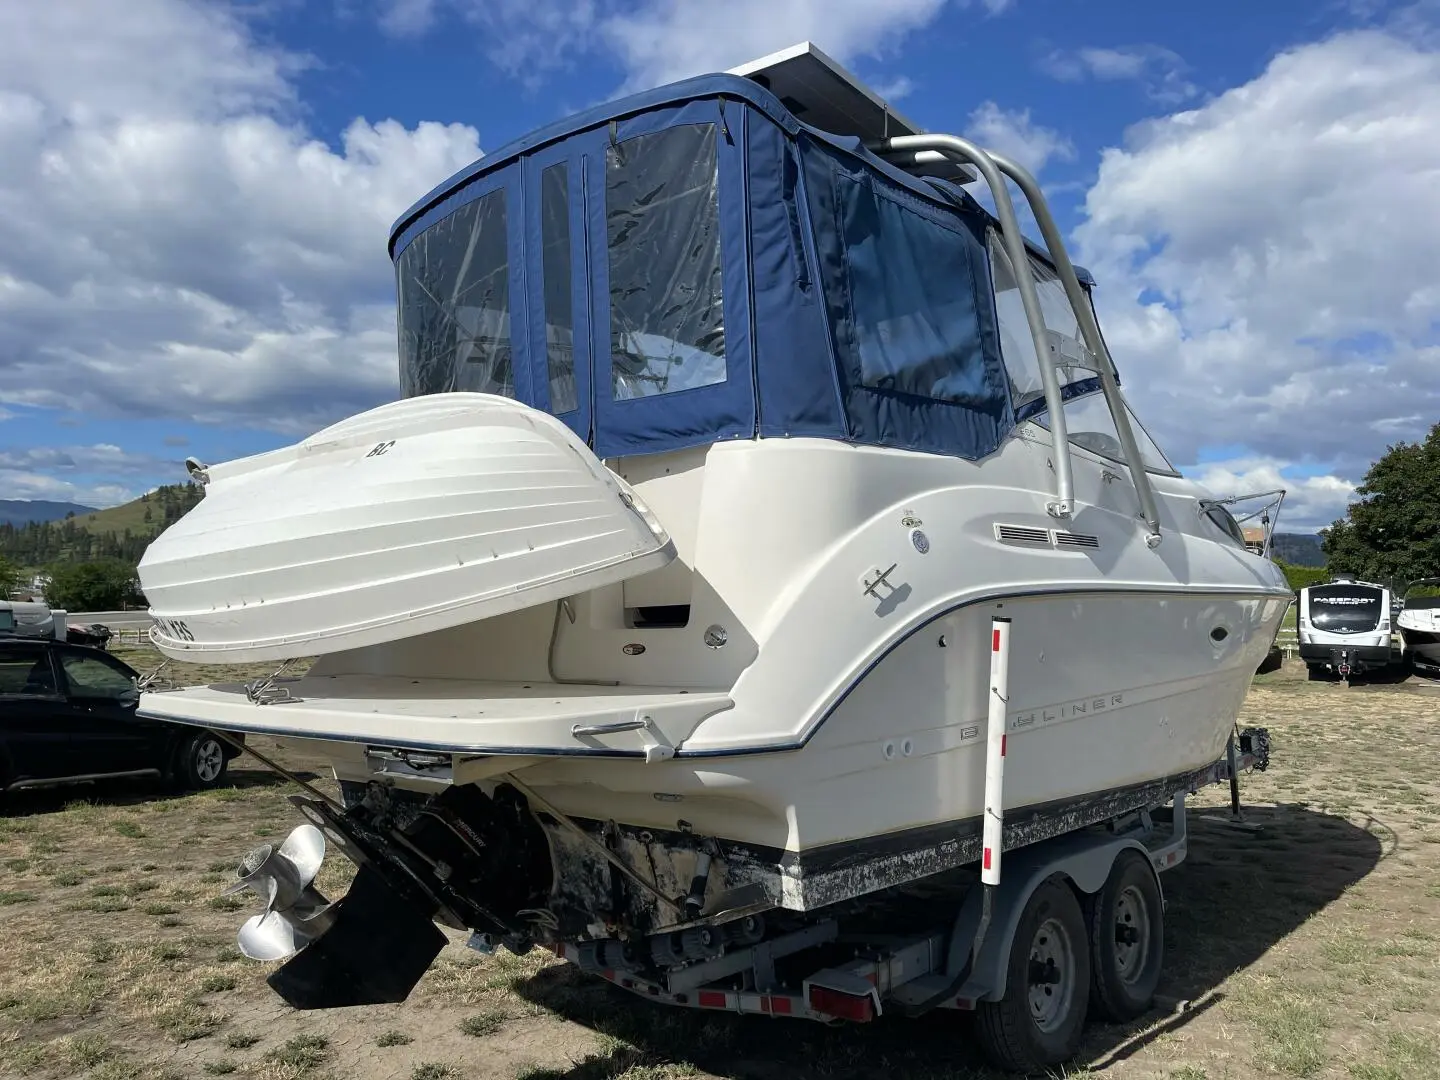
x=1082 y=860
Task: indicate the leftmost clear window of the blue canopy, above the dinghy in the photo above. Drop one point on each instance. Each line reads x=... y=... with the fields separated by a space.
x=454 y=305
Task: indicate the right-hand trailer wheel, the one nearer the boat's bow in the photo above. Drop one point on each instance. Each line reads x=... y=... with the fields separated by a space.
x=1127 y=941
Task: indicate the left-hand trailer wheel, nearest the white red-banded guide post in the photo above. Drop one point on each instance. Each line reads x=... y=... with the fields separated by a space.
x=1040 y=1020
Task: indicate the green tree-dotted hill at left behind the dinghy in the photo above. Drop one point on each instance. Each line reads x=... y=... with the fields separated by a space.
x=120 y=532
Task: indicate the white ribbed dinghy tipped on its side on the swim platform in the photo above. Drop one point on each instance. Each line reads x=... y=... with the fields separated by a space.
x=418 y=516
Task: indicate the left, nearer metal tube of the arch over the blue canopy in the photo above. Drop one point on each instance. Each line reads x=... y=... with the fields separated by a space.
x=1014 y=241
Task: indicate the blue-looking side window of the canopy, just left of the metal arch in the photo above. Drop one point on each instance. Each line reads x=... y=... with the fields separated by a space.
x=911 y=286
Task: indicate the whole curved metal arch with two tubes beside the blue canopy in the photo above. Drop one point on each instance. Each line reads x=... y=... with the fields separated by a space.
x=996 y=168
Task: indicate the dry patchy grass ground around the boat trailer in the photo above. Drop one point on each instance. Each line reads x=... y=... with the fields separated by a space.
x=1311 y=950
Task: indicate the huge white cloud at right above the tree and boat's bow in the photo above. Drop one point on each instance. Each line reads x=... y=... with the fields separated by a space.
x=1266 y=261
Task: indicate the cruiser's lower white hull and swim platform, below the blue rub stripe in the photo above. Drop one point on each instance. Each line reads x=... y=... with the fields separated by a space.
x=889 y=780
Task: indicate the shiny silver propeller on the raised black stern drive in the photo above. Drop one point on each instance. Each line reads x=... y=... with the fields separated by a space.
x=296 y=912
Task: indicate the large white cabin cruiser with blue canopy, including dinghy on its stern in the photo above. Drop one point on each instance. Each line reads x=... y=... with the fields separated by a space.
x=666 y=597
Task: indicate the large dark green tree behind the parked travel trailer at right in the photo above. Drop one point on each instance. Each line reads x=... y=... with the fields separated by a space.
x=1392 y=534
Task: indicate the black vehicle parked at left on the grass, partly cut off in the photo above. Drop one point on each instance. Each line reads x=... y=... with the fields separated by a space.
x=68 y=715
